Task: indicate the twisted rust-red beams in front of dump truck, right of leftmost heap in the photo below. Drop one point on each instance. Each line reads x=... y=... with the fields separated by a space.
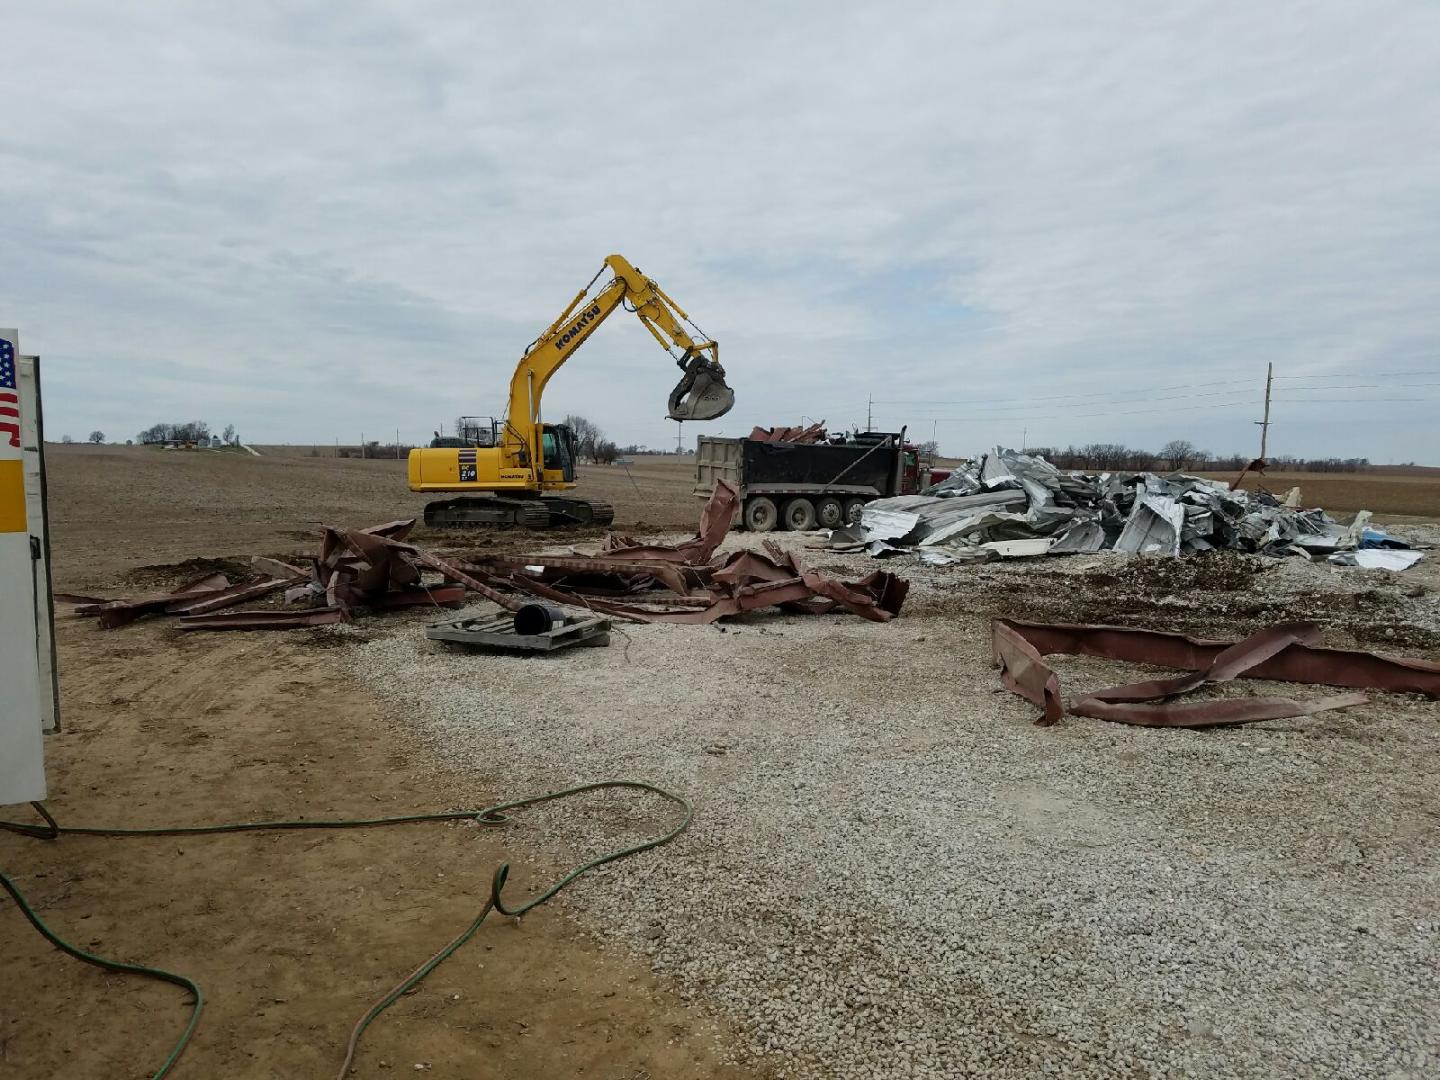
x=686 y=582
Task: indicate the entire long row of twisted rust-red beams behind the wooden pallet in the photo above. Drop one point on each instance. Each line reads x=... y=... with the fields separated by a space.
x=378 y=570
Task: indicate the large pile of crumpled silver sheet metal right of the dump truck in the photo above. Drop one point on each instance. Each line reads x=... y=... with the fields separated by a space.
x=1019 y=505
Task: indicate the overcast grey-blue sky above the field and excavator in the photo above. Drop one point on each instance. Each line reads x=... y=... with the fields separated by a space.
x=1081 y=222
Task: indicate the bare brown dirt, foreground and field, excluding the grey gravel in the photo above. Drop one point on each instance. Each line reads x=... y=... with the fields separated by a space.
x=294 y=935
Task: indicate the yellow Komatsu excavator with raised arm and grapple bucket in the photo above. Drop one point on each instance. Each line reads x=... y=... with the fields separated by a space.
x=512 y=470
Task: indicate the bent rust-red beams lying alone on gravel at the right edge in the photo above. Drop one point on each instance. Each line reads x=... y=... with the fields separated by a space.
x=1284 y=653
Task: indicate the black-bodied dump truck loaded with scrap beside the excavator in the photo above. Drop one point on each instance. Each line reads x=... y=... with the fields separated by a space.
x=804 y=486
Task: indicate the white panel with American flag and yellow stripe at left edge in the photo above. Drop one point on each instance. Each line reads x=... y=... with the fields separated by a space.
x=22 y=748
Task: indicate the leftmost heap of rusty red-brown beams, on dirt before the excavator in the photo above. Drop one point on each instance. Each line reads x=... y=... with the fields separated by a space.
x=356 y=568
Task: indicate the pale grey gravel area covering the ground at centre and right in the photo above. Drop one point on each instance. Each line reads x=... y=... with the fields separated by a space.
x=895 y=875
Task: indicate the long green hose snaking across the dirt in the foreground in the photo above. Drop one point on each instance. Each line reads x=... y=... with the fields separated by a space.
x=492 y=816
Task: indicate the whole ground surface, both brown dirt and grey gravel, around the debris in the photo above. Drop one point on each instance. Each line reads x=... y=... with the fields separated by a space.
x=892 y=873
